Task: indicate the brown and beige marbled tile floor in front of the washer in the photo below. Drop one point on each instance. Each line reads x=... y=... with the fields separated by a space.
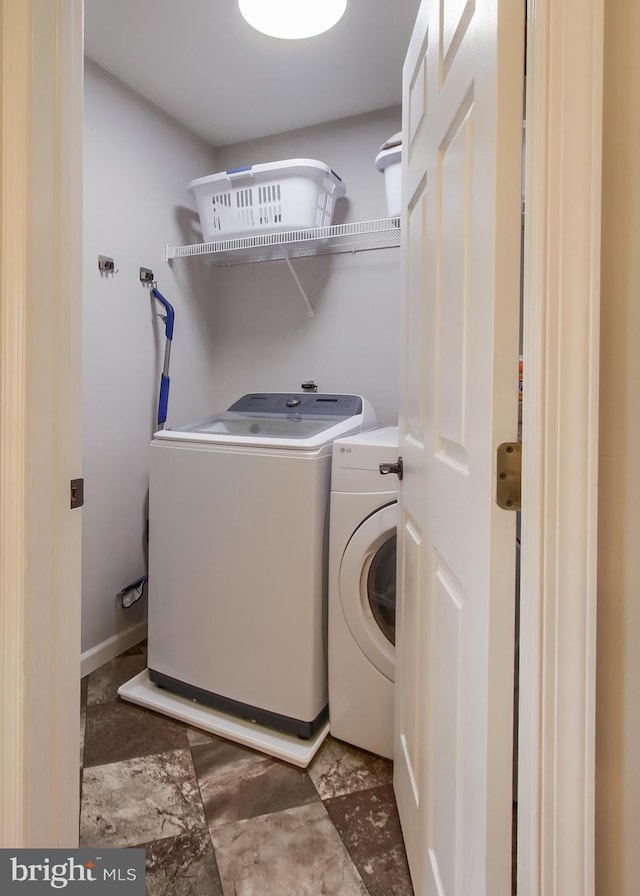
x=219 y=819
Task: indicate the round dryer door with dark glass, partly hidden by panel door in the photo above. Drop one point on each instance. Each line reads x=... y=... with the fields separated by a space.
x=368 y=587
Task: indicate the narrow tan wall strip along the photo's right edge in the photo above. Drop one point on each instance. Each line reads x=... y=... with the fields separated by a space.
x=618 y=661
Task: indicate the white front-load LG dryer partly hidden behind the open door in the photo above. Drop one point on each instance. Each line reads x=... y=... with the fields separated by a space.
x=362 y=595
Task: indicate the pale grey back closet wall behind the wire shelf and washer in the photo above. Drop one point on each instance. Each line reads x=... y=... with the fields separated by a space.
x=263 y=338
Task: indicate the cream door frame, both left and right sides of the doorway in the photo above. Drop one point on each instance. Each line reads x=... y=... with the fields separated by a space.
x=560 y=427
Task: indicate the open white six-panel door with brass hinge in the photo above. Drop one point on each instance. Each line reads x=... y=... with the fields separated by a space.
x=462 y=126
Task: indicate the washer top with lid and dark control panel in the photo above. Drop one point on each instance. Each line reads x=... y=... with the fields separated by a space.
x=300 y=421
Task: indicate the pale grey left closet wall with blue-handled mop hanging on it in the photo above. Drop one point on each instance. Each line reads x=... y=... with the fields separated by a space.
x=137 y=162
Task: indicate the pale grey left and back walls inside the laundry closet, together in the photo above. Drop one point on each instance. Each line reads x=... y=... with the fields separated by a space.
x=237 y=329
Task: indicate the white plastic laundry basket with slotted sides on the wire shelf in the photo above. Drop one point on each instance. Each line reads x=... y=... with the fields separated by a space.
x=294 y=194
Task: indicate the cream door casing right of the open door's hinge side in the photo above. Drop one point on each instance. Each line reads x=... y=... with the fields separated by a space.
x=560 y=450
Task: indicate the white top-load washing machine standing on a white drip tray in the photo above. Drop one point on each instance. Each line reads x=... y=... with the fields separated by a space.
x=238 y=517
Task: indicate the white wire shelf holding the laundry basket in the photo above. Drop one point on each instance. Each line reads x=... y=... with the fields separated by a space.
x=336 y=239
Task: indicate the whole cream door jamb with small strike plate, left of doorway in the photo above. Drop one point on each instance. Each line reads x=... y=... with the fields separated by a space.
x=41 y=45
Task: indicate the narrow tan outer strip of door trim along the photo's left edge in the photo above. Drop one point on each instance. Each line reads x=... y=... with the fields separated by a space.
x=14 y=243
